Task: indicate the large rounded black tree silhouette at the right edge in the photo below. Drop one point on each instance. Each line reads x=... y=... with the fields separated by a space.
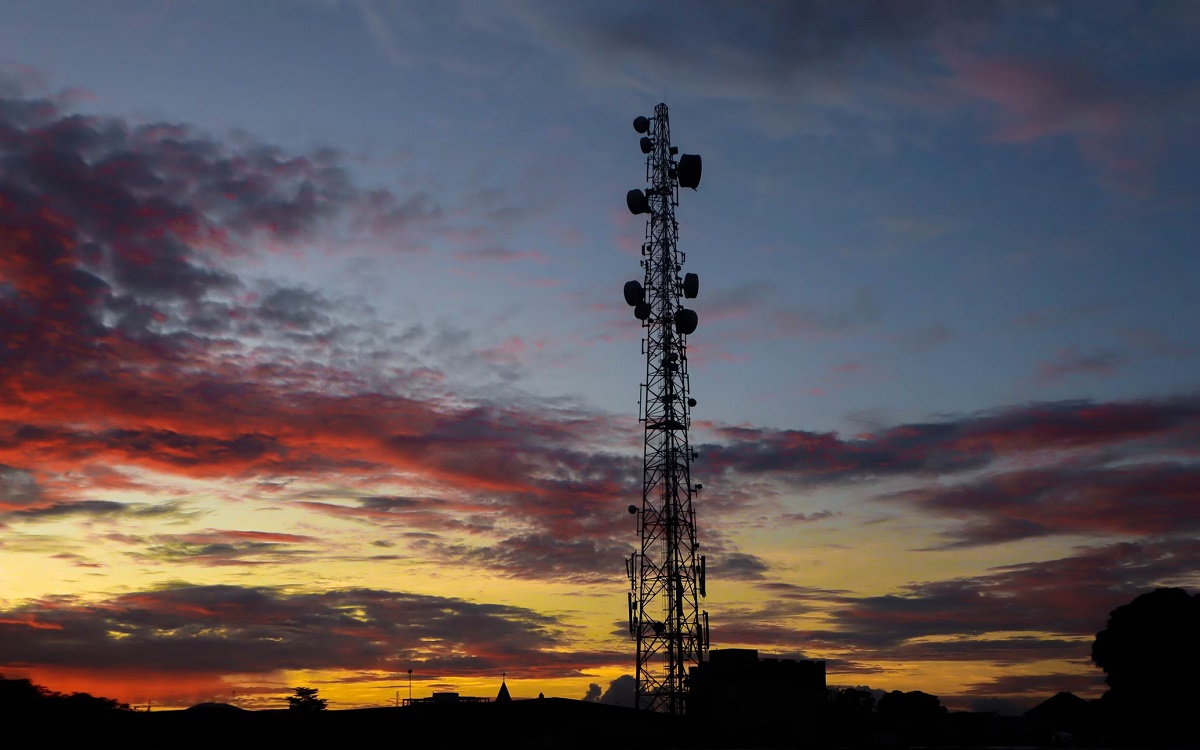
x=1150 y=653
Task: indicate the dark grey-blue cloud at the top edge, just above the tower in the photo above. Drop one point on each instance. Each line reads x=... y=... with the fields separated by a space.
x=747 y=52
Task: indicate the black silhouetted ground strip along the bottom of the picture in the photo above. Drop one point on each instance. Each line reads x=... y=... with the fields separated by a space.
x=548 y=723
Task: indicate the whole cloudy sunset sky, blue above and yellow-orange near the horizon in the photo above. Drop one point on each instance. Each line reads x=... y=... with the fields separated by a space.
x=315 y=367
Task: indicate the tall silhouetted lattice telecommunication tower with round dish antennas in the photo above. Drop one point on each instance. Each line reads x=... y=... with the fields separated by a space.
x=667 y=575
